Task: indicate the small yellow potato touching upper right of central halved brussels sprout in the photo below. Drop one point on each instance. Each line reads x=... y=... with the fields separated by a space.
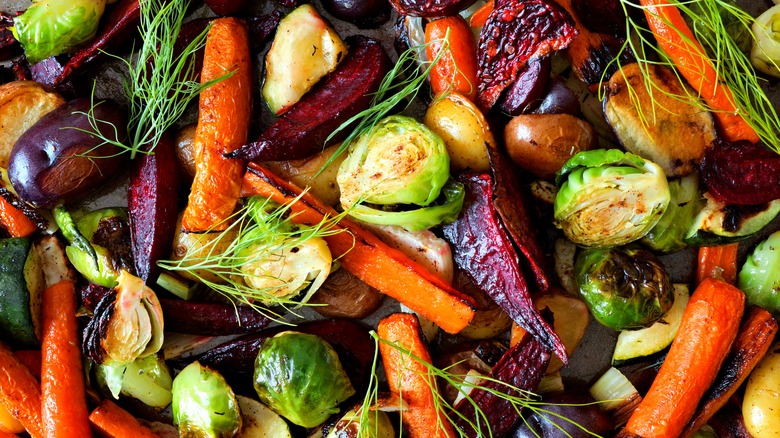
x=464 y=130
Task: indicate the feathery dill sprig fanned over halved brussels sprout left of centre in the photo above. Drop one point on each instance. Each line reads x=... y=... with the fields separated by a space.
x=260 y=231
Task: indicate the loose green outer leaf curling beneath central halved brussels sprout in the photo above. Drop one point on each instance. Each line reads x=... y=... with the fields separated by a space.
x=419 y=219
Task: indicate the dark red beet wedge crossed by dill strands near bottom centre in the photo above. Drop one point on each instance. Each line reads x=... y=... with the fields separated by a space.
x=522 y=367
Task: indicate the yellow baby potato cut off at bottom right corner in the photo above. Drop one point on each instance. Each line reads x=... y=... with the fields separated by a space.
x=761 y=405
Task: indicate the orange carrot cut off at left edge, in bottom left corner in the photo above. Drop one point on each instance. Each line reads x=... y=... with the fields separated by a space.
x=20 y=393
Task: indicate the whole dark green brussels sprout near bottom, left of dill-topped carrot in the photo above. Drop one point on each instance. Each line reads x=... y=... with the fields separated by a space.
x=300 y=377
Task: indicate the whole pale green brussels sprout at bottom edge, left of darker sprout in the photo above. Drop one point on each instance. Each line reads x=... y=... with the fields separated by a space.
x=203 y=404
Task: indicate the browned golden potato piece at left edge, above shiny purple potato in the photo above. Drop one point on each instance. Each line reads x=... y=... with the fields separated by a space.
x=22 y=103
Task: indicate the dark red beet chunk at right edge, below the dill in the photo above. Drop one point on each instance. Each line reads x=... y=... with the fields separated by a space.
x=741 y=172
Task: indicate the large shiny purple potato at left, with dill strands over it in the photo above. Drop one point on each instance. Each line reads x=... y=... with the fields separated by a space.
x=57 y=160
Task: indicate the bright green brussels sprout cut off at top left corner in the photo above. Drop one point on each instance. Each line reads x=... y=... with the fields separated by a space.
x=52 y=27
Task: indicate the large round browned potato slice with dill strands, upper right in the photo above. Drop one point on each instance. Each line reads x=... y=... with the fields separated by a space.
x=671 y=130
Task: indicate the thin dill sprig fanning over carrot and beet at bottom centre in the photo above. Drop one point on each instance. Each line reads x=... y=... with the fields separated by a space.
x=523 y=401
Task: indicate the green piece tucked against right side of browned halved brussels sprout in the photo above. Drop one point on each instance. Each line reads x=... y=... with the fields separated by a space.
x=669 y=233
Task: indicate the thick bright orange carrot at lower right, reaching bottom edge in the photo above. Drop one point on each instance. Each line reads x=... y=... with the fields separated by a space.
x=708 y=328
